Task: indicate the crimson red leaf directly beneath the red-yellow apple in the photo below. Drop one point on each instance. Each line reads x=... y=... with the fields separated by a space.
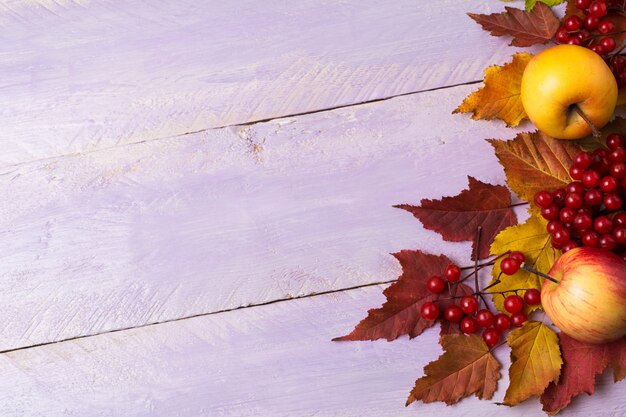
x=583 y=362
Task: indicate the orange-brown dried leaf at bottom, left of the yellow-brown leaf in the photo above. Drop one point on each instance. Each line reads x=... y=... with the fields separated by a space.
x=466 y=367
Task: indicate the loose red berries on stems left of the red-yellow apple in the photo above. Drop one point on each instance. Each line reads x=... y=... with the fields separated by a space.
x=467 y=313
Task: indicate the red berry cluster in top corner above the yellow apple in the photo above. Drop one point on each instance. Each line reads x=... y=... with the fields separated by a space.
x=596 y=32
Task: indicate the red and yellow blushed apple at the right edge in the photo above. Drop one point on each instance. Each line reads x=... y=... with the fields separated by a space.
x=589 y=301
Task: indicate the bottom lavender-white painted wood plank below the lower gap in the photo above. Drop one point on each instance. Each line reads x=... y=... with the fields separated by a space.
x=275 y=360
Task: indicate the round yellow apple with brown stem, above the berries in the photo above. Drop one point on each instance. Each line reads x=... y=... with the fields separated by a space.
x=562 y=77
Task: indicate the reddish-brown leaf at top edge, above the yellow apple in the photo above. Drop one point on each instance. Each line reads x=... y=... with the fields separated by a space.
x=537 y=26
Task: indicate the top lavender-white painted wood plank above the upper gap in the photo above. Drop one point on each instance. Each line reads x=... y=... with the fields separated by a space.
x=79 y=75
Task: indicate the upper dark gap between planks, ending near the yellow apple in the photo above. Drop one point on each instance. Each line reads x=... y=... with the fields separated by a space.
x=246 y=124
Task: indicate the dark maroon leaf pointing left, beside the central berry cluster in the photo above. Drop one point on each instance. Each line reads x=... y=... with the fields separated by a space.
x=457 y=218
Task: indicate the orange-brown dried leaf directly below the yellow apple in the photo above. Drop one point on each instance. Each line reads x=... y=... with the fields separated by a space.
x=534 y=162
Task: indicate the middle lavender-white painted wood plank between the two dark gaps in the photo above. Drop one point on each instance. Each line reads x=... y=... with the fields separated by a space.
x=216 y=220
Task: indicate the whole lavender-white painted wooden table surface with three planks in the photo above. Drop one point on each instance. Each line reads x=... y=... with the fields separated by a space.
x=197 y=196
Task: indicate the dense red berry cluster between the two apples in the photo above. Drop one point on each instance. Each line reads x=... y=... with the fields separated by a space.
x=588 y=212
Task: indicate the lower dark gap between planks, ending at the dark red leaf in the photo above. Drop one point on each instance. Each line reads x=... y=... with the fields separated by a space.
x=279 y=300
